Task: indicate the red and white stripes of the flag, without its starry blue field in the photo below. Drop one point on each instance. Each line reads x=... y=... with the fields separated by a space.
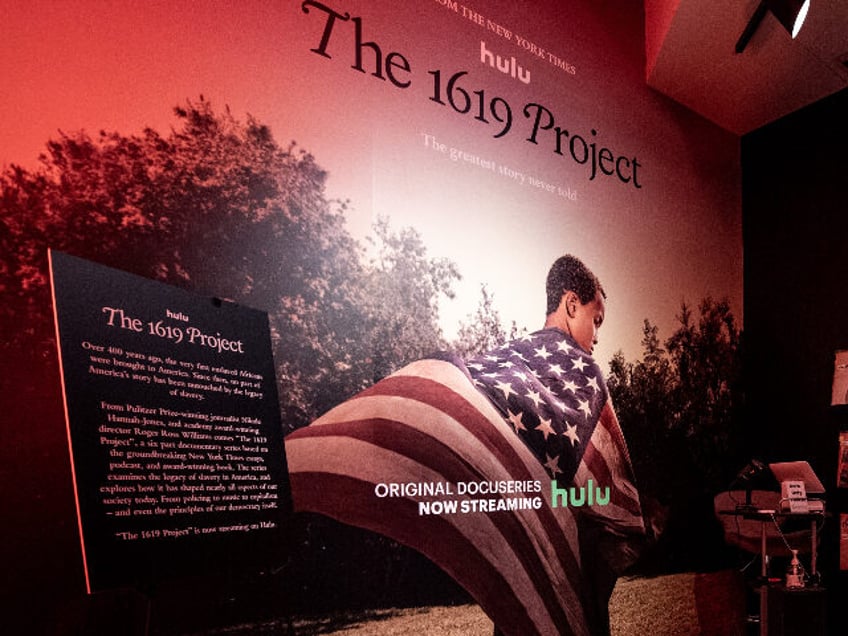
x=429 y=424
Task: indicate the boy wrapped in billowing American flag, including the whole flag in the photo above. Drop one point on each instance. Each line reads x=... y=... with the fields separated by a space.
x=509 y=471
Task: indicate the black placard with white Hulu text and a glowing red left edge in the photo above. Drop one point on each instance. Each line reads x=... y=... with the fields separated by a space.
x=173 y=424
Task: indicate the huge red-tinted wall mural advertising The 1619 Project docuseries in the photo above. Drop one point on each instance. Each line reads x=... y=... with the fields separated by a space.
x=391 y=185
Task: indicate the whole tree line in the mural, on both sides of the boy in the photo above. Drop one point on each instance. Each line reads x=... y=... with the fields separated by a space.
x=219 y=207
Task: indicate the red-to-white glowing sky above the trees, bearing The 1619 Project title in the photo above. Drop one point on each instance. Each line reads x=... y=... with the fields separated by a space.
x=504 y=139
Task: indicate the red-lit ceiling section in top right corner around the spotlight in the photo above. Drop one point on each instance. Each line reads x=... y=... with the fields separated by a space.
x=690 y=57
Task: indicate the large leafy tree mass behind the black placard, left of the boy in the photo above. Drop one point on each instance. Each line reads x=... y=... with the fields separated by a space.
x=218 y=207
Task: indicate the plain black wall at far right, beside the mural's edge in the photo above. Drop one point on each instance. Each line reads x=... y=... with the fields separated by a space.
x=795 y=224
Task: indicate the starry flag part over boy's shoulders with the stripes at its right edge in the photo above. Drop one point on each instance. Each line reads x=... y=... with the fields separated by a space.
x=555 y=399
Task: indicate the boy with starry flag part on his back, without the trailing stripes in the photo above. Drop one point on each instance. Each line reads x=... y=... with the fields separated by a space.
x=552 y=393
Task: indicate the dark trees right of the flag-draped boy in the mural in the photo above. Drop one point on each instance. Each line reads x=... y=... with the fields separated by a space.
x=688 y=392
